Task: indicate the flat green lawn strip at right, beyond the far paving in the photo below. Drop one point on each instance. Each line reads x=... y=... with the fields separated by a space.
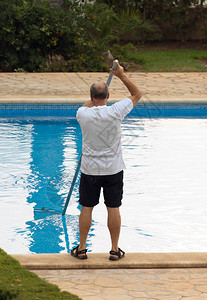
x=169 y=60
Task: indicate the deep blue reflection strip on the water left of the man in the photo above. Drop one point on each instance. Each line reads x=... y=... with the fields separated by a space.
x=50 y=167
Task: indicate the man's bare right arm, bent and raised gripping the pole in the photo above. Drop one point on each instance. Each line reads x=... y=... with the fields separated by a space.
x=132 y=88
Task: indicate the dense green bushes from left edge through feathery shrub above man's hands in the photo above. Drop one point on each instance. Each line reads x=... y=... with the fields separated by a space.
x=36 y=37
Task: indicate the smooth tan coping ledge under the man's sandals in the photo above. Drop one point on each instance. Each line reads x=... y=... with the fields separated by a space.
x=101 y=261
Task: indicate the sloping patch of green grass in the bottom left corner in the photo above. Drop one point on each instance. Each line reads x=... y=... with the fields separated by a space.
x=18 y=283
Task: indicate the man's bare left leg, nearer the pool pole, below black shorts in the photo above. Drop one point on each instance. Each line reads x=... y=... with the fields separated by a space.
x=85 y=221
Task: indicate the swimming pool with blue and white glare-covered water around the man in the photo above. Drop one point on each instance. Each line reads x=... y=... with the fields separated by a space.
x=164 y=207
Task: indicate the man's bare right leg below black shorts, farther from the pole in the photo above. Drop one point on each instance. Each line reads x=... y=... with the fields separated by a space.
x=114 y=226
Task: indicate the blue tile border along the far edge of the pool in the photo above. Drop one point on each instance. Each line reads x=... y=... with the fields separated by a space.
x=141 y=110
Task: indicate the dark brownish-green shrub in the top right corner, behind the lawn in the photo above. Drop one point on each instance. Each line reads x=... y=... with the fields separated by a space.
x=173 y=20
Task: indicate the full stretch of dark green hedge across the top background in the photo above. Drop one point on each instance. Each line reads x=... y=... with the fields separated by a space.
x=36 y=37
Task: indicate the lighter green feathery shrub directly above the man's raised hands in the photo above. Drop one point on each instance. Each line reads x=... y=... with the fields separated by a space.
x=102 y=27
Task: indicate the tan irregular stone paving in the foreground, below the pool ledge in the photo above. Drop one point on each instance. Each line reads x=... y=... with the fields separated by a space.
x=127 y=284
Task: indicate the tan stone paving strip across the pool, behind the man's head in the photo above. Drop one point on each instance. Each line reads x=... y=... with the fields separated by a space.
x=74 y=87
